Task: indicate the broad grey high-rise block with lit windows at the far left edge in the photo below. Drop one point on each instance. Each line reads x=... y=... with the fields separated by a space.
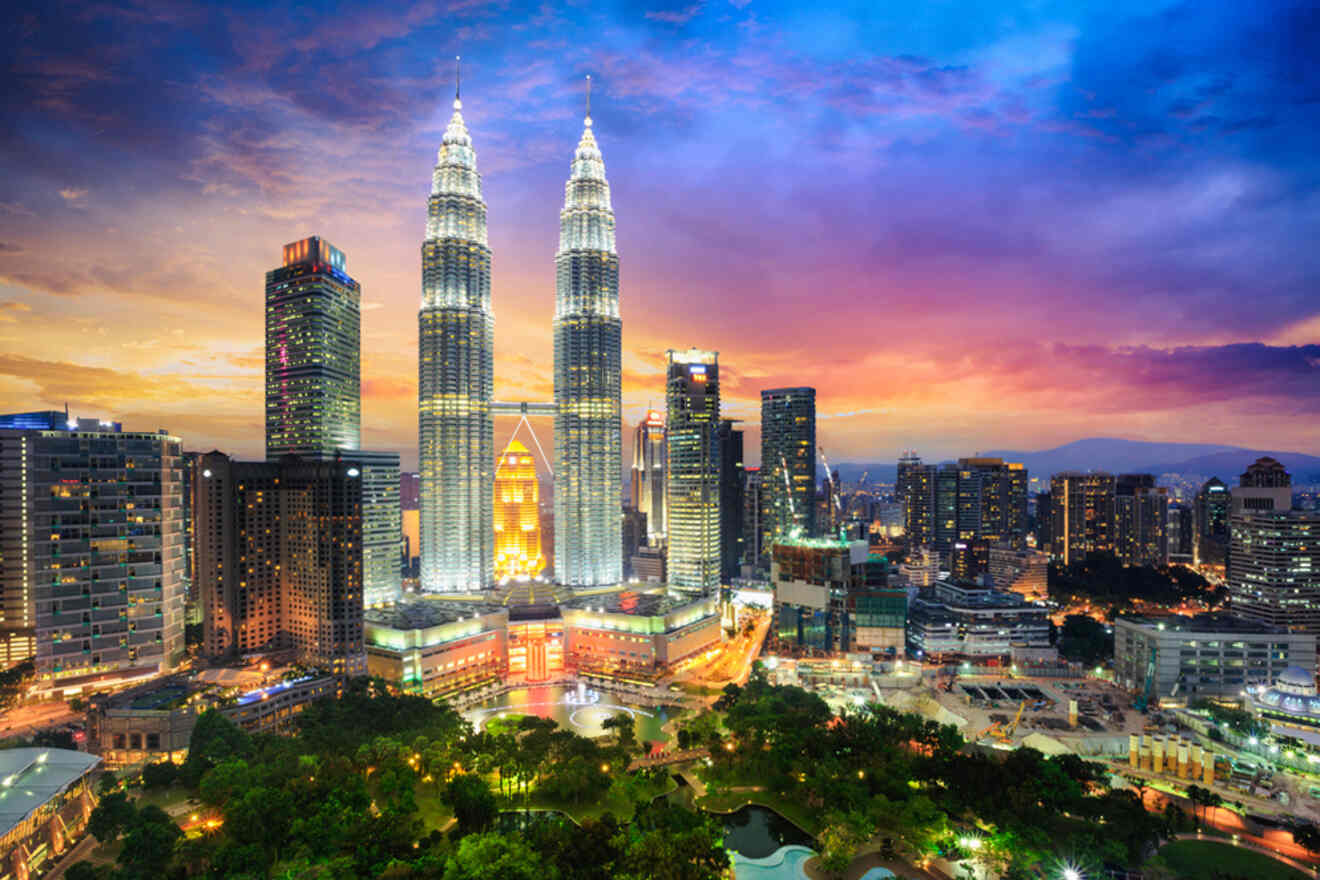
x=92 y=551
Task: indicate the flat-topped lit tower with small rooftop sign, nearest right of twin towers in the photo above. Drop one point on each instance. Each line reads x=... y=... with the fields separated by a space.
x=692 y=478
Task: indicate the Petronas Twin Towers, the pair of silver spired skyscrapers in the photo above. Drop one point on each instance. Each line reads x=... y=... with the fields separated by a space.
x=456 y=377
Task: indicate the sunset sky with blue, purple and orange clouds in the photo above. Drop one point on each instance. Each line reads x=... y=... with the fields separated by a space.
x=970 y=226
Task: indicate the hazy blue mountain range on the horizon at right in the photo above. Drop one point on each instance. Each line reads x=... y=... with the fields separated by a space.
x=1125 y=457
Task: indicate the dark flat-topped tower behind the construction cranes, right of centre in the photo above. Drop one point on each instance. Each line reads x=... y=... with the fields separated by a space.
x=787 y=464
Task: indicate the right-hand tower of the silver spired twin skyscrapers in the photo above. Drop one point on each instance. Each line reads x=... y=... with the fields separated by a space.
x=588 y=354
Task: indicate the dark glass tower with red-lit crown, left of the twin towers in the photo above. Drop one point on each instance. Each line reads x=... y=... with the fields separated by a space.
x=313 y=333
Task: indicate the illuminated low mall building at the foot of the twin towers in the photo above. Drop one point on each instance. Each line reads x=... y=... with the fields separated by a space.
x=447 y=647
